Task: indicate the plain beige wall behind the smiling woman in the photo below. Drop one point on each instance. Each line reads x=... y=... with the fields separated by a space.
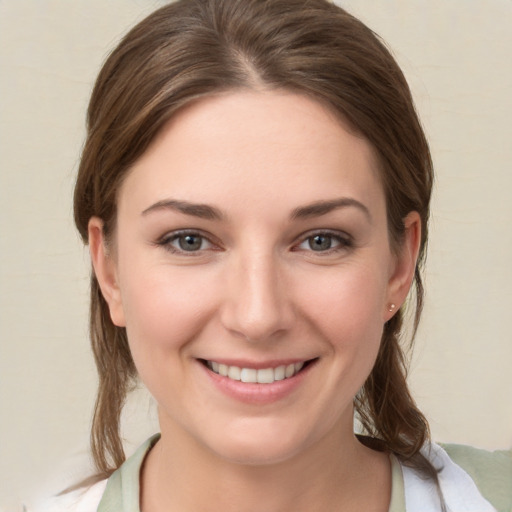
x=456 y=55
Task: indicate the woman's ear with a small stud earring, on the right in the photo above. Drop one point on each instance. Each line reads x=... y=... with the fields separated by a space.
x=404 y=267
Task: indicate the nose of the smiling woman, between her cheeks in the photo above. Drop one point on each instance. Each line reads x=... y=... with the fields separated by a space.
x=257 y=304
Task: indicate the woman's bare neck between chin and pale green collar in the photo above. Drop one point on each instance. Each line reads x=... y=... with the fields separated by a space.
x=335 y=474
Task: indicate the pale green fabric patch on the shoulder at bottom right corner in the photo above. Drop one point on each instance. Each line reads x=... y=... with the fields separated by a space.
x=491 y=472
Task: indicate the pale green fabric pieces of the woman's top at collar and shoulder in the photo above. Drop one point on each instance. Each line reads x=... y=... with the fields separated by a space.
x=492 y=473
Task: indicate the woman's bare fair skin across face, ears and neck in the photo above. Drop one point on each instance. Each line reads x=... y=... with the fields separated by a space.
x=255 y=290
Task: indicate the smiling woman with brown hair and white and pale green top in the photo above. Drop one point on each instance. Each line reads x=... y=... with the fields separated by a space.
x=255 y=190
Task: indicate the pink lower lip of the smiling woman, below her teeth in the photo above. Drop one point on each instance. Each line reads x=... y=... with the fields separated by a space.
x=253 y=393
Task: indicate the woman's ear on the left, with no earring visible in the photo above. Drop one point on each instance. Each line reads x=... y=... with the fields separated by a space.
x=105 y=269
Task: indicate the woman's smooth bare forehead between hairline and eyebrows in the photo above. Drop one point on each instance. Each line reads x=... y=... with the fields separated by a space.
x=244 y=148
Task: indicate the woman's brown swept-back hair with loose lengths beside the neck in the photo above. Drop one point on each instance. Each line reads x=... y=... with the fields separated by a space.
x=194 y=48
